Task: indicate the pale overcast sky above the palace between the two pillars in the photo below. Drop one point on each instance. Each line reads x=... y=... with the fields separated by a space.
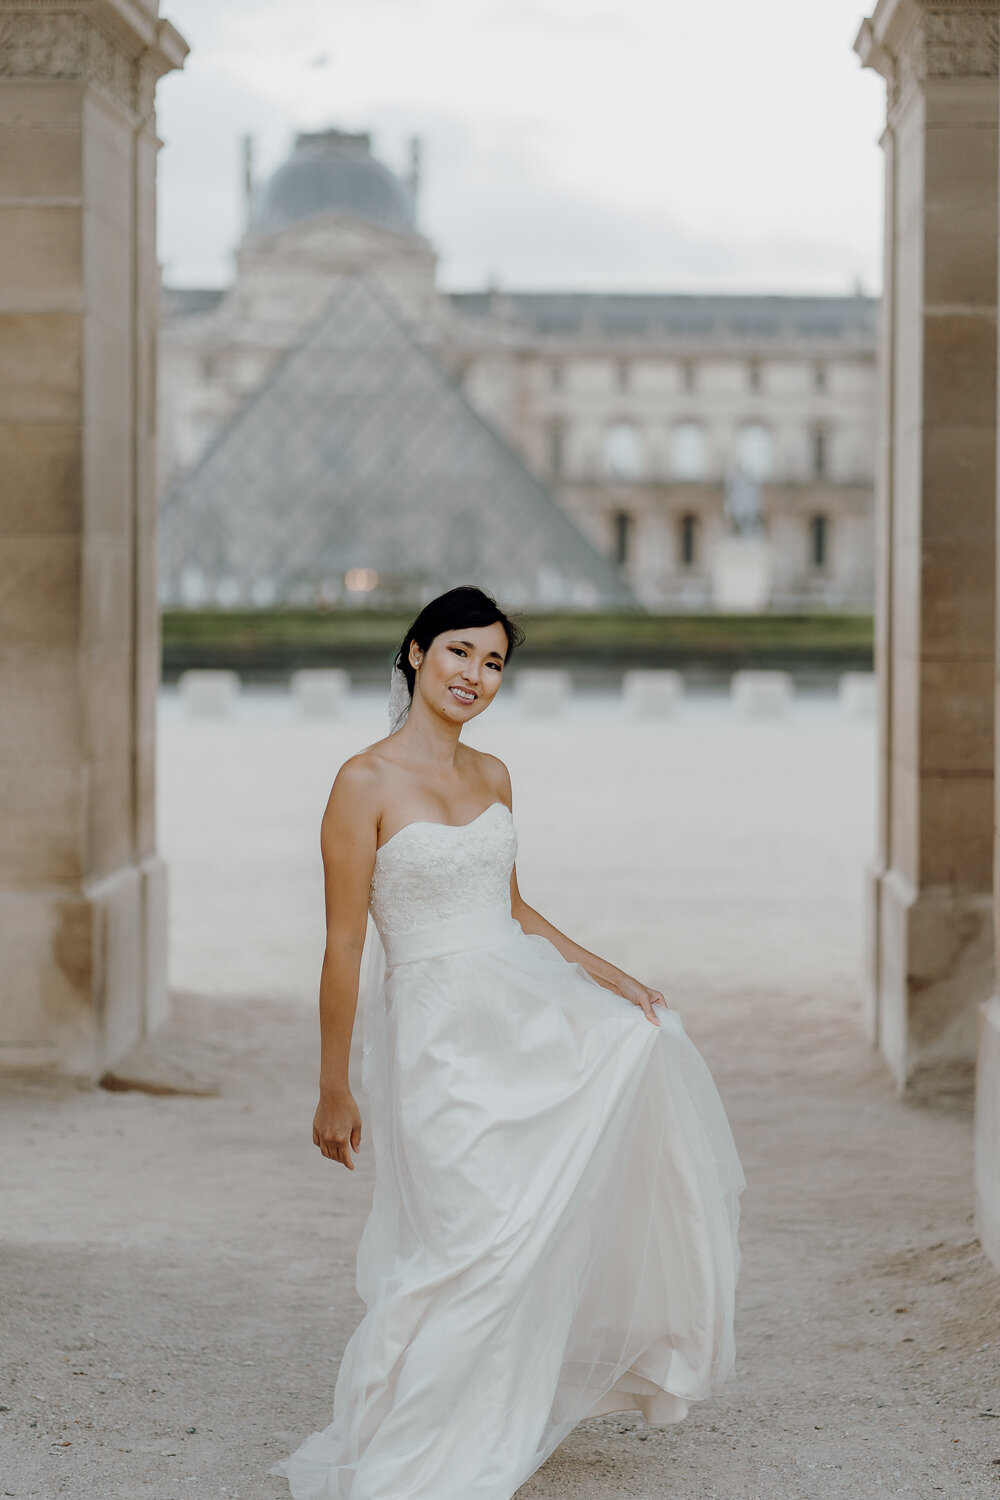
x=578 y=145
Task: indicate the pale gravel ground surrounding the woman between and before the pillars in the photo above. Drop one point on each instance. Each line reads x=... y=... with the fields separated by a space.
x=178 y=1273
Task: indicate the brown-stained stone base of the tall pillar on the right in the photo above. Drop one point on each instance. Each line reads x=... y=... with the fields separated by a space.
x=932 y=968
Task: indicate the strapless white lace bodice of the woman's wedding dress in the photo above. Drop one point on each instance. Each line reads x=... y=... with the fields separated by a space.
x=430 y=872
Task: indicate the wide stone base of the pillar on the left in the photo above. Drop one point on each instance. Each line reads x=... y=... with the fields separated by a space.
x=85 y=973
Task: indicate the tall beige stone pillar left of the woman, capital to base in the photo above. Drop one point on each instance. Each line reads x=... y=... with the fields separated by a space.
x=83 y=895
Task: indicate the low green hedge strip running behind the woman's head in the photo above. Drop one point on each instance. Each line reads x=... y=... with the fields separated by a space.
x=274 y=643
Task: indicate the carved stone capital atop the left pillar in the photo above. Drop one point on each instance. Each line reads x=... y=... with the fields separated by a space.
x=121 y=47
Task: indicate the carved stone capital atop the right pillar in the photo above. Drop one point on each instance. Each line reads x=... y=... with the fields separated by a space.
x=912 y=41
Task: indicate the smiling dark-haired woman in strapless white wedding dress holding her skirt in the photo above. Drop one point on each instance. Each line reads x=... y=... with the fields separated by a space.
x=554 y=1232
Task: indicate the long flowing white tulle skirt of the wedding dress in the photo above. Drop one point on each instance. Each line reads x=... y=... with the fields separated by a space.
x=554 y=1232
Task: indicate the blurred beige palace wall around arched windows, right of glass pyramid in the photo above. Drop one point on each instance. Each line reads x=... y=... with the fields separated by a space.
x=516 y=392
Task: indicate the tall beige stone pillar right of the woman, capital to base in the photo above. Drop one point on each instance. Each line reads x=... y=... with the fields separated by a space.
x=932 y=958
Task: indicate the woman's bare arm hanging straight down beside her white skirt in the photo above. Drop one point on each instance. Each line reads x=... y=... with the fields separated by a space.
x=349 y=838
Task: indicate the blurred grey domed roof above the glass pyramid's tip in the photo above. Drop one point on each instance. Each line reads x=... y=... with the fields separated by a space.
x=332 y=172
